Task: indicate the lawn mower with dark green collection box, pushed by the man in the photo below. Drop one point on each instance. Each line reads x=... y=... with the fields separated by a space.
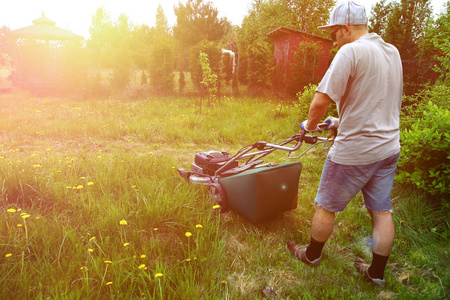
x=246 y=184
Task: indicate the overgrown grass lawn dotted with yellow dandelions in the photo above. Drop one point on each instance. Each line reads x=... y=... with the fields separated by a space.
x=109 y=216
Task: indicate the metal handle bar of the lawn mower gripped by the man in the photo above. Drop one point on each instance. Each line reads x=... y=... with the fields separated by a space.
x=263 y=151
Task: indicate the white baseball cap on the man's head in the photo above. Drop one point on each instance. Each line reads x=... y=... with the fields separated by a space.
x=348 y=13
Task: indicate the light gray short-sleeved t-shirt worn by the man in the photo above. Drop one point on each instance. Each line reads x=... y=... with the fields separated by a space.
x=365 y=80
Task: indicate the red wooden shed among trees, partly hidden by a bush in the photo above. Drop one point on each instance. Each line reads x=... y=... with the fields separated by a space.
x=287 y=41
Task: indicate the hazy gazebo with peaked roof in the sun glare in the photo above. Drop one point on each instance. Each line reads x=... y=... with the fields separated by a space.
x=40 y=57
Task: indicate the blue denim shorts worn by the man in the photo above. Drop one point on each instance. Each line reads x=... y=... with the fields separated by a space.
x=340 y=183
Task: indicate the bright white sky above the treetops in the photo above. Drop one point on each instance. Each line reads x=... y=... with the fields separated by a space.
x=76 y=15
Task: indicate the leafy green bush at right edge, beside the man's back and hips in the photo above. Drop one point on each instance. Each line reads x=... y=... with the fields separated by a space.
x=425 y=160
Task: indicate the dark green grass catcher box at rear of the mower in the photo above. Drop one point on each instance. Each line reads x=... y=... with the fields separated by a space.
x=263 y=193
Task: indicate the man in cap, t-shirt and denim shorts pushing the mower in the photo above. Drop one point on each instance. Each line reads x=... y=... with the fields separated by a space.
x=365 y=82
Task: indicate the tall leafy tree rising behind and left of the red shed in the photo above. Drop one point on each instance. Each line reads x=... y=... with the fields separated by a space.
x=256 y=50
